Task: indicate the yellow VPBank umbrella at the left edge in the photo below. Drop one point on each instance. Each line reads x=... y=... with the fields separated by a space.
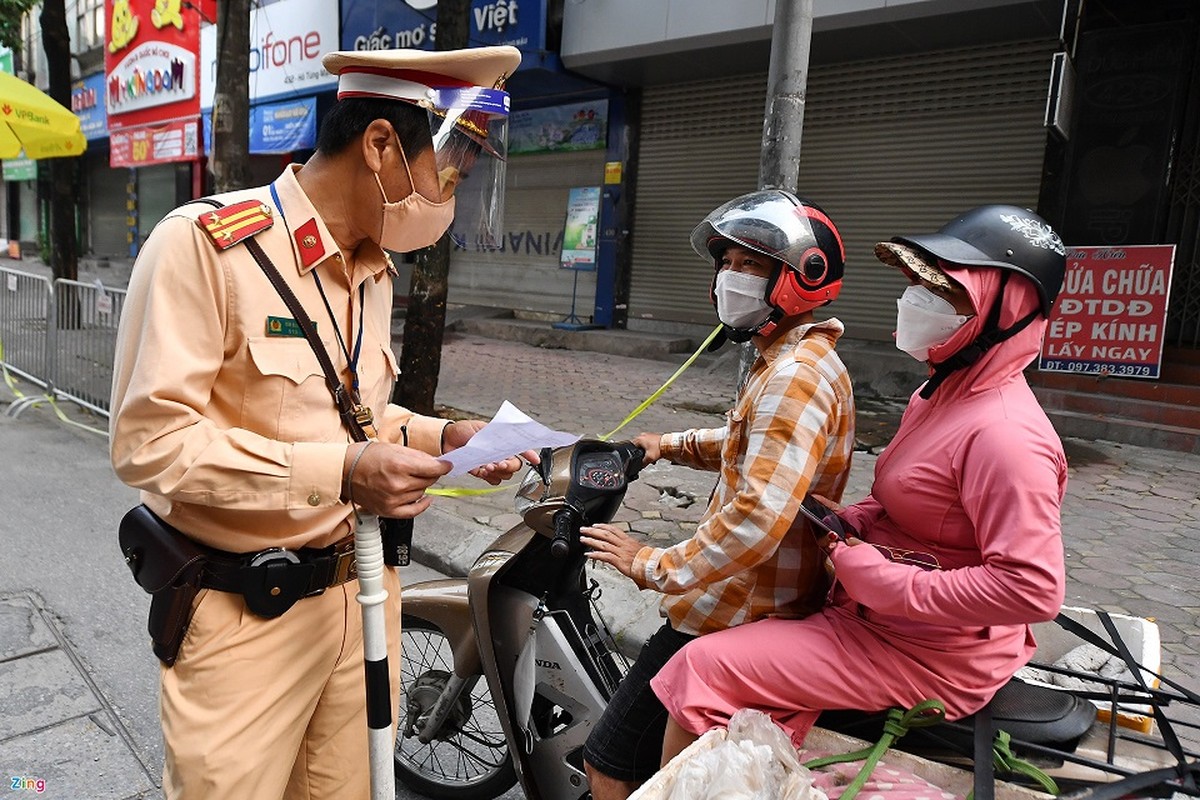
x=32 y=122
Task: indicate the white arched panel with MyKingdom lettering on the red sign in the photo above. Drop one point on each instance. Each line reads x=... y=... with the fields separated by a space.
x=153 y=75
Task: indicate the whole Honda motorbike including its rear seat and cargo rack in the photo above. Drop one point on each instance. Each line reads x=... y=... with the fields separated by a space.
x=507 y=671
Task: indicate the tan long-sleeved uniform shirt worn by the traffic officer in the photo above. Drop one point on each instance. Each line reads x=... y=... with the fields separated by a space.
x=221 y=418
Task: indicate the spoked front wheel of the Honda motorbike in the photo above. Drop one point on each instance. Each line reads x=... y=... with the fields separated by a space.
x=470 y=760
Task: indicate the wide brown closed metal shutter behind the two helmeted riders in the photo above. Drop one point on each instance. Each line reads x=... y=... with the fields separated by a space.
x=890 y=147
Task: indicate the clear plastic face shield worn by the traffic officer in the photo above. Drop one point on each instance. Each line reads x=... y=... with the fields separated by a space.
x=471 y=130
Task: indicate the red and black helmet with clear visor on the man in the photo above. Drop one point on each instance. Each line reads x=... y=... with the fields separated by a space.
x=794 y=232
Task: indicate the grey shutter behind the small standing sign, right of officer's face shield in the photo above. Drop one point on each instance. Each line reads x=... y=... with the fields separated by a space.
x=526 y=274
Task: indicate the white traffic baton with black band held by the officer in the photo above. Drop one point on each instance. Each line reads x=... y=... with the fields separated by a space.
x=373 y=597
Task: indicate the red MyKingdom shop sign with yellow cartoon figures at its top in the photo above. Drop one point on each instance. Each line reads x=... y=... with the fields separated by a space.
x=151 y=63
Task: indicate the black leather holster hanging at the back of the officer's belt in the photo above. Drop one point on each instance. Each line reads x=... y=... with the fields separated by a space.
x=167 y=564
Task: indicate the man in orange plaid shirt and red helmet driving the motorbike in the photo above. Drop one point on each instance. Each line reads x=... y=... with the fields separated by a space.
x=791 y=432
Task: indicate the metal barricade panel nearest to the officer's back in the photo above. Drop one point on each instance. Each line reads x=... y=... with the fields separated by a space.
x=86 y=345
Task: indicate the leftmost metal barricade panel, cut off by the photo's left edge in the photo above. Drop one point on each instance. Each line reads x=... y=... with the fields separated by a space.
x=27 y=338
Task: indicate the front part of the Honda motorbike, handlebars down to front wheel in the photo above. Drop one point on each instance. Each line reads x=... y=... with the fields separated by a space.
x=506 y=671
